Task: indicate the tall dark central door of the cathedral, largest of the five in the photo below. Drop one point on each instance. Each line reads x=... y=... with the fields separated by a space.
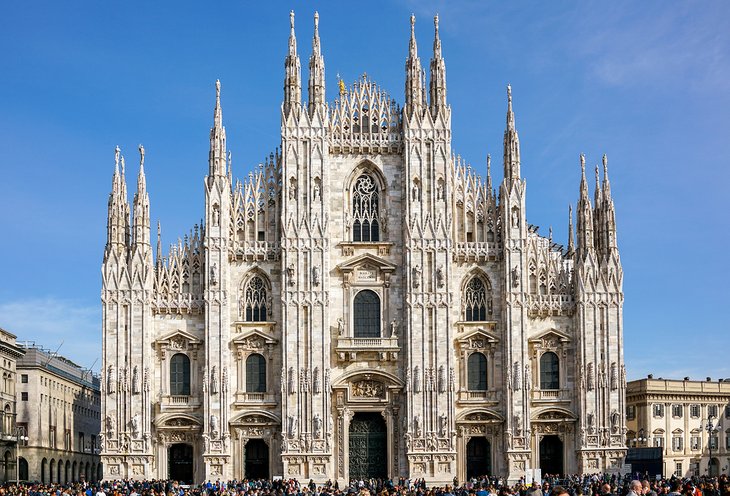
x=368 y=446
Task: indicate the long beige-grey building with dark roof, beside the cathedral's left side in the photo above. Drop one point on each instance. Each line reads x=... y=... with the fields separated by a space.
x=59 y=411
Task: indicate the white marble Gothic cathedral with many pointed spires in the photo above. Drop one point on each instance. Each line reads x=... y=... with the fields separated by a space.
x=362 y=304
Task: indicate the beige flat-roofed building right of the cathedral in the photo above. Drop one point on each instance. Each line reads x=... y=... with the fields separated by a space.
x=673 y=415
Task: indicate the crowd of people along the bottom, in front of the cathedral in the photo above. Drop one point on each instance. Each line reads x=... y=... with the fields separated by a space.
x=587 y=485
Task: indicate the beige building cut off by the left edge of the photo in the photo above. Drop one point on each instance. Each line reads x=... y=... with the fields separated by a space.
x=9 y=354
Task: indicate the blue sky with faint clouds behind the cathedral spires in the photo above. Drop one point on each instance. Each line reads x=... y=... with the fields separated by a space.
x=648 y=83
